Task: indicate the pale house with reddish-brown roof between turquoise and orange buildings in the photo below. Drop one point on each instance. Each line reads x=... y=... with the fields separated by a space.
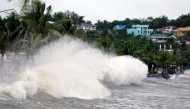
x=167 y=29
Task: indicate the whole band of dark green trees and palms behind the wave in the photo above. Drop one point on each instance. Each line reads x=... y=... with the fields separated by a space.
x=38 y=26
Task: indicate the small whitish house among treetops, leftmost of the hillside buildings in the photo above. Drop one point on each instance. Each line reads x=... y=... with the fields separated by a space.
x=86 y=27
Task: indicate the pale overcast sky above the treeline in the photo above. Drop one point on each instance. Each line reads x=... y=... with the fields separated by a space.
x=110 y=10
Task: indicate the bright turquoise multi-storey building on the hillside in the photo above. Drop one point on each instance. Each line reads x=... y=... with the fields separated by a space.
x=140 y=30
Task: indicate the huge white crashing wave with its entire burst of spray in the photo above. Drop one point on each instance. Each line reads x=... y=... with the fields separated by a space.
x=72 y=68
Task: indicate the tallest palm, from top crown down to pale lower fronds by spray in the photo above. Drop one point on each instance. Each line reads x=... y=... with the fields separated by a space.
x=39 y=30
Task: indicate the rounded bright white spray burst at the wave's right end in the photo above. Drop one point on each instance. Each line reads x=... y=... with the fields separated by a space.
x=124 y=70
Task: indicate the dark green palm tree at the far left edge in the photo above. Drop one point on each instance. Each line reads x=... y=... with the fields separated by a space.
x=11 y=29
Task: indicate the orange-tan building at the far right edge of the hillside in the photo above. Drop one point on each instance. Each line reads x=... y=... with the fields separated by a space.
x=181 y=31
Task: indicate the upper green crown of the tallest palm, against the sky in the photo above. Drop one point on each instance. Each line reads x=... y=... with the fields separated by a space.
x=36 y=17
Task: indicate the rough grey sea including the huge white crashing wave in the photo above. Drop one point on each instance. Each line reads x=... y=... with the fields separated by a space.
x=71 y=74
